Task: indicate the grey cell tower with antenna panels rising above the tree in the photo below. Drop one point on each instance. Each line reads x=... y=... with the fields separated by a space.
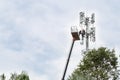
x=87 y=29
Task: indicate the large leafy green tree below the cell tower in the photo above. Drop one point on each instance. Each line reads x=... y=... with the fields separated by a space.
x=100 y=64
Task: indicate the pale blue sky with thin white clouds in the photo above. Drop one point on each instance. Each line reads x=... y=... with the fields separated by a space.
x=35 y=35
